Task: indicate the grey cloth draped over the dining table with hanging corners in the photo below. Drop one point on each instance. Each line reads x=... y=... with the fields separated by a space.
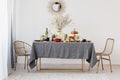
x=67 y=50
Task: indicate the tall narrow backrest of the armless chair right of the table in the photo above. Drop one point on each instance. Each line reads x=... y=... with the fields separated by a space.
x=109 y=46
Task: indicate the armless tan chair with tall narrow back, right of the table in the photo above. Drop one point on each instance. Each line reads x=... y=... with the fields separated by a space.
x=106 y=53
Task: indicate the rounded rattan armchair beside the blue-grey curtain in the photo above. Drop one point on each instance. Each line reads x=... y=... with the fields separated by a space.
x=22 y=49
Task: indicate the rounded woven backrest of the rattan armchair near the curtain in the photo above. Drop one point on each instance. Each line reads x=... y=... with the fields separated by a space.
x=21 y=47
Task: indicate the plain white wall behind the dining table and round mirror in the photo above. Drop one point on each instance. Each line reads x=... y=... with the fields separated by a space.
x=95 y=20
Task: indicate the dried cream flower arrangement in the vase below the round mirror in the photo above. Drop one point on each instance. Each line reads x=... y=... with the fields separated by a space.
x=61 y=21
